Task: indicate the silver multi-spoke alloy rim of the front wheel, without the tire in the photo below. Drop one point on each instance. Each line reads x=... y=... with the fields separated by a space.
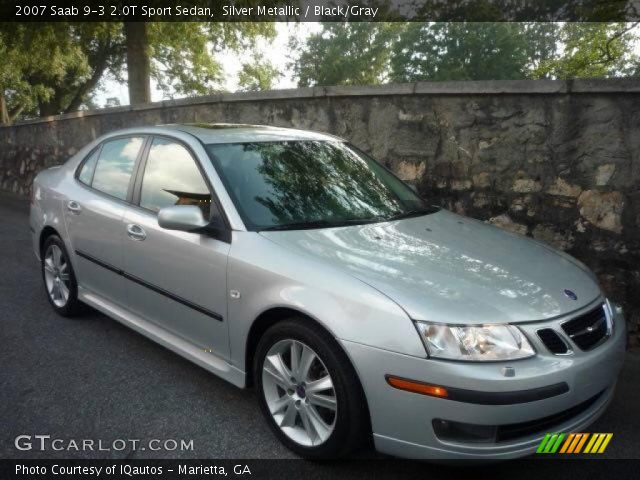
x=299 y=392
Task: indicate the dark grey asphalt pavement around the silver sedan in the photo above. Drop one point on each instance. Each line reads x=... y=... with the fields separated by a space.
x=92 y=378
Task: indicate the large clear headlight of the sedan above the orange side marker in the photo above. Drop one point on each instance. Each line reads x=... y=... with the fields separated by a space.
x=474 y=343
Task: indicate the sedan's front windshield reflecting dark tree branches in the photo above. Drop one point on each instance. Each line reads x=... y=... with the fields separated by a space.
x=305 y=184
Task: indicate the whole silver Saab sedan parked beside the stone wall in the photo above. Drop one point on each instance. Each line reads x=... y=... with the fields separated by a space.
x=292 y=262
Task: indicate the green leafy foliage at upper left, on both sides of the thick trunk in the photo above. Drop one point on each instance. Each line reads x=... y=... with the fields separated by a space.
x=65 y=62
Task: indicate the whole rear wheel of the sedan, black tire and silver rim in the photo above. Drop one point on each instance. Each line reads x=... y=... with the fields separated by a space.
x=59 y=278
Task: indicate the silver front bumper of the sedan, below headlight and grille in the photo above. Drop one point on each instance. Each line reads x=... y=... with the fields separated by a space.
x=402 y=421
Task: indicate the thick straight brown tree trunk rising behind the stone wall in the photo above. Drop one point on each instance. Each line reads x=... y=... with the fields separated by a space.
x=138 y=62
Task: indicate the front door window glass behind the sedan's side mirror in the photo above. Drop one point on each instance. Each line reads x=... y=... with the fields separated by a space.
x=172 y=177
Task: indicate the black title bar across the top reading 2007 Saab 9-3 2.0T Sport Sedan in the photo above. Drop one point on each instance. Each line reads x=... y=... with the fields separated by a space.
x=320 y=10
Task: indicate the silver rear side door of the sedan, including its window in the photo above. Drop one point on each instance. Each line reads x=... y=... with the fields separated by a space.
x=94 y=210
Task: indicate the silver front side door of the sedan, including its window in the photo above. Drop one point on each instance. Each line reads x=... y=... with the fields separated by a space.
x=179 y=279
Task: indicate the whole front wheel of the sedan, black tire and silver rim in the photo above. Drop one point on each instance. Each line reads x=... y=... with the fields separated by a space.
x=308 y=391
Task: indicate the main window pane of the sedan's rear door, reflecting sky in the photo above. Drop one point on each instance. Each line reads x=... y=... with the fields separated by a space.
x=115 y=166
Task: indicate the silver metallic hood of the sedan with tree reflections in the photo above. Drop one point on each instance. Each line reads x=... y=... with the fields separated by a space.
x=447 y=268
